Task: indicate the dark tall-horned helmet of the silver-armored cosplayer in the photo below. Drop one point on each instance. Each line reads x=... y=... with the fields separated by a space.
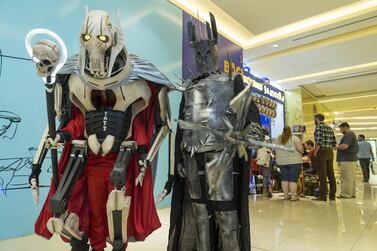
x=205 y=49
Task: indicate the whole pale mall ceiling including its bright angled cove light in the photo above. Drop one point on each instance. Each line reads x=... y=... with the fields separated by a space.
x=327 y=47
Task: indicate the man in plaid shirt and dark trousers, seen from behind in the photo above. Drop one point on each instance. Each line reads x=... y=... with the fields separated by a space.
x=324 y=143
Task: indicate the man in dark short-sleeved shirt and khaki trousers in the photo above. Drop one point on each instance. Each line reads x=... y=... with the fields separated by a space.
x=347 y=159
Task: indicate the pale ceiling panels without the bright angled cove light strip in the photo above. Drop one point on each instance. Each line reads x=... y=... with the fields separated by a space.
x=322 y=61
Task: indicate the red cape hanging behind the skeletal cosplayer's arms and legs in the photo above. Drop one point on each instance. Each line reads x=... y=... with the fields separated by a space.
x=143 y=218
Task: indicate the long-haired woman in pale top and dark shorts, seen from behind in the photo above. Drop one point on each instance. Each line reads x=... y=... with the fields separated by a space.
x=290 y=163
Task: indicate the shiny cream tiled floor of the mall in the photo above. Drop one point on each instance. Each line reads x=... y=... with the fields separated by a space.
x=349 y=224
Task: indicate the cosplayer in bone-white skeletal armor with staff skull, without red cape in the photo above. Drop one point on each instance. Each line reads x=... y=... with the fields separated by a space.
x=108 y=88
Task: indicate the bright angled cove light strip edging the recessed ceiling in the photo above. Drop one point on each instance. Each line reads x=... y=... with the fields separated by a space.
x=236 y=32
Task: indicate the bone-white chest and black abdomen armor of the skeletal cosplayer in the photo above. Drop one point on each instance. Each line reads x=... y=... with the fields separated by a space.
x=109 y=124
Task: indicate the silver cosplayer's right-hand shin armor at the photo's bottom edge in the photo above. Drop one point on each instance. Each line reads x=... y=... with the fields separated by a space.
x=229 y=230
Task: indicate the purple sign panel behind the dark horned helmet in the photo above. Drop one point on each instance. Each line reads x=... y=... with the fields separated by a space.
x=224 y=48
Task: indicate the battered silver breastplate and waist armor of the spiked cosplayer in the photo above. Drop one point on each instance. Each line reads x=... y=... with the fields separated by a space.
x=207 y=104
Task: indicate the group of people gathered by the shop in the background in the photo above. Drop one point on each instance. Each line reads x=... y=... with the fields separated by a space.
x=308 y=170
